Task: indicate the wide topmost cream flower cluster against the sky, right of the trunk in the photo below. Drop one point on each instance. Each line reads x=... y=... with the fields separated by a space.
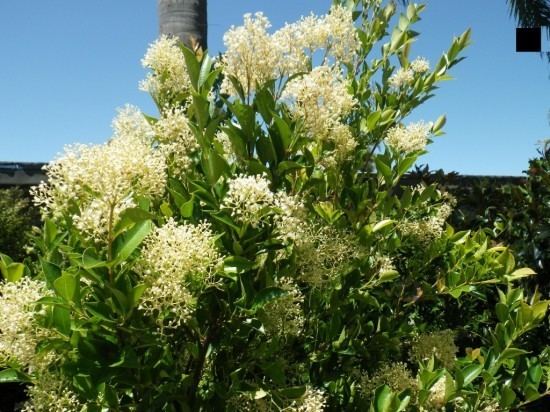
x=254 y=56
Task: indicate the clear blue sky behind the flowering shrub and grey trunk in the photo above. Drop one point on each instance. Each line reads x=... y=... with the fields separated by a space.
x=67 y=65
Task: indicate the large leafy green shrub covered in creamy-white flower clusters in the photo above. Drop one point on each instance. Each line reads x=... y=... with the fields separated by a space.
x=249 y=250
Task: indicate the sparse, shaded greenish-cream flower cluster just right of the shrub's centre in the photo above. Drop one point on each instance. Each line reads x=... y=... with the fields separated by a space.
x=324 y=252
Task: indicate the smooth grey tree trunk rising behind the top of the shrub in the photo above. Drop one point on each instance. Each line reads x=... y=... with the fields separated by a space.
x=185 y=19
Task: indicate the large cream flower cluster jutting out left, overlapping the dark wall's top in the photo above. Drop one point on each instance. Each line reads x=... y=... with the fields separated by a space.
x=102 y=180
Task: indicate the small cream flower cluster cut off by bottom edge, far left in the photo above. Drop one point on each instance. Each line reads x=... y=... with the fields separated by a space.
x=51 y=394
